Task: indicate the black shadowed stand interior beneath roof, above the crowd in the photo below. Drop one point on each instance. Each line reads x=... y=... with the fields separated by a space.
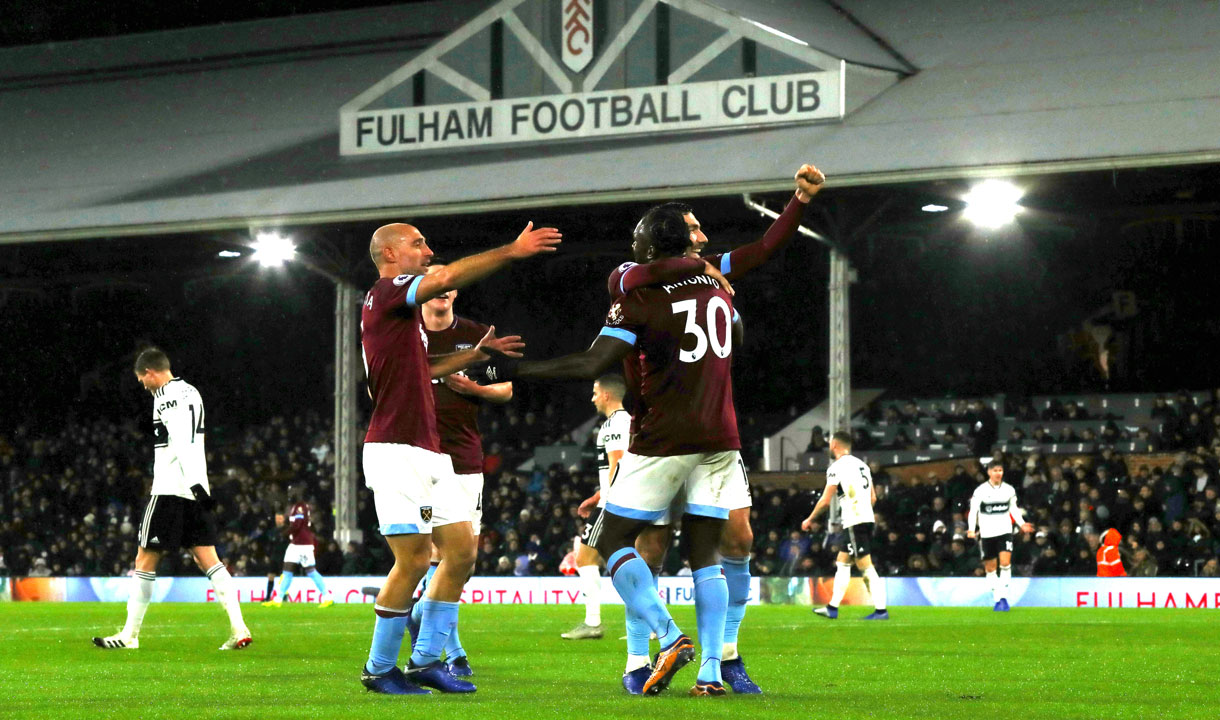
x=940 y=308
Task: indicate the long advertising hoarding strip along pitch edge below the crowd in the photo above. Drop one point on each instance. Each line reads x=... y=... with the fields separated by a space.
x=1033 y=592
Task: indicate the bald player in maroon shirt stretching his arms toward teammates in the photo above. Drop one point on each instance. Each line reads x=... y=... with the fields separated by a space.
x=402 y=455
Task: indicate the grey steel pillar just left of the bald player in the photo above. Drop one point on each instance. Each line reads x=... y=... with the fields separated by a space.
x=347 y=339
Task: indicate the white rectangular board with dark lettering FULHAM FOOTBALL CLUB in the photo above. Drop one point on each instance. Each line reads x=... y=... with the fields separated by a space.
x=708 y=106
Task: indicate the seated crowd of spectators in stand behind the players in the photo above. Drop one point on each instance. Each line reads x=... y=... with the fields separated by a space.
x=71 y=502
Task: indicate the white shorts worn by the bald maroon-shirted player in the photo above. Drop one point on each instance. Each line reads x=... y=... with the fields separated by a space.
x=403 y=480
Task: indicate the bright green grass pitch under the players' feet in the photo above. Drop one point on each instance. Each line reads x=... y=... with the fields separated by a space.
x=940 y=663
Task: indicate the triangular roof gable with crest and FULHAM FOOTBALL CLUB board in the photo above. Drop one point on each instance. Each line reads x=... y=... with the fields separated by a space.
x=537 y=71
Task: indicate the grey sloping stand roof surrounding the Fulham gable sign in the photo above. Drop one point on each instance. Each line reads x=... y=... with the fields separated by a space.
x=236 y=125
